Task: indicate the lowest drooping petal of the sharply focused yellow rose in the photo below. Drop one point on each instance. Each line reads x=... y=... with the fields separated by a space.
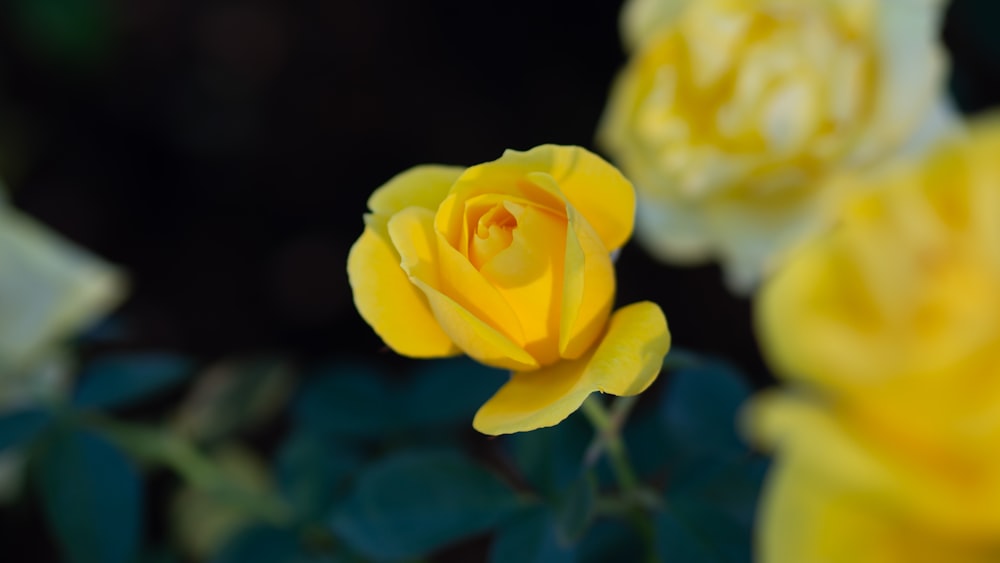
x=625 y=363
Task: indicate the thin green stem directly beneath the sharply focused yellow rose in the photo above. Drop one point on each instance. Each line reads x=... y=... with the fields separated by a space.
x=608 y=425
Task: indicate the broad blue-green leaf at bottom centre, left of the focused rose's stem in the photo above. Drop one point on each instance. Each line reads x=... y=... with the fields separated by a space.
x=412 y=503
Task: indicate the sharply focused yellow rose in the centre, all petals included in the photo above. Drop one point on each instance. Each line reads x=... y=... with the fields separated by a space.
x=510 y=263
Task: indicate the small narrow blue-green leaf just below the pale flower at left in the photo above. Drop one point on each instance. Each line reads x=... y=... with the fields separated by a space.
x=121 y=380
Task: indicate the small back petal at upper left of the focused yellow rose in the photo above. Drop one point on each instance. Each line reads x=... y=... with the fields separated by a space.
x=421 y=186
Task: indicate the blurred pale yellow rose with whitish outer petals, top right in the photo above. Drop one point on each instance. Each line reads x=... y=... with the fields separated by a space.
x=731 y=115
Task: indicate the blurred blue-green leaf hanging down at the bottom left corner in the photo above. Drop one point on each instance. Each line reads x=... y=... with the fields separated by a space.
x=92 y=498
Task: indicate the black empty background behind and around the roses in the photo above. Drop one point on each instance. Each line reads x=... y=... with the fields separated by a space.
x=222 y=151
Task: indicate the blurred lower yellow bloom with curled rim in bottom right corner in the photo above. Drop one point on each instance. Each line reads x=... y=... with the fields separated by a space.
x=836 y=494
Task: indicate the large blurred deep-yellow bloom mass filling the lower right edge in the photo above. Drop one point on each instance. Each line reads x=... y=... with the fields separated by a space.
x=888 y=329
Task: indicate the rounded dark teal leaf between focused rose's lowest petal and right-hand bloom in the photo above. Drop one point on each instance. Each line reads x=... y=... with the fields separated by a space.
x=699 y=410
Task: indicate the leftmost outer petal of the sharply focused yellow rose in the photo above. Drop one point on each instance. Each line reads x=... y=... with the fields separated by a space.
x=387 y=300
